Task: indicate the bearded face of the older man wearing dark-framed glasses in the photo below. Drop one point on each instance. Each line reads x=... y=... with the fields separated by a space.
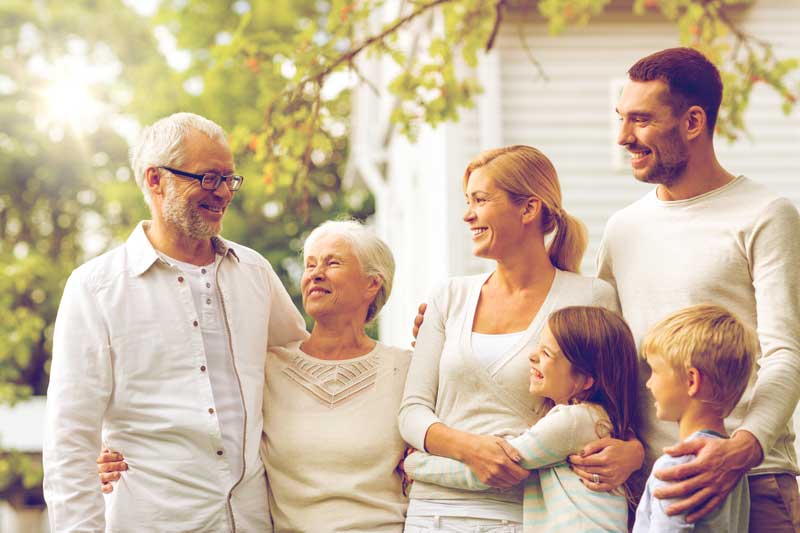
x=185 y=206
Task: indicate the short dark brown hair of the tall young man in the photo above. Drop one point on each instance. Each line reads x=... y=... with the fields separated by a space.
x=692 y=80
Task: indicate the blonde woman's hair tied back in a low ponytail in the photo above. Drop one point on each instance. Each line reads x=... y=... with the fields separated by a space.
x=523 y=171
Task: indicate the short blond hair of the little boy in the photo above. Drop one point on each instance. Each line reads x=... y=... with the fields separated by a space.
x=712 y=340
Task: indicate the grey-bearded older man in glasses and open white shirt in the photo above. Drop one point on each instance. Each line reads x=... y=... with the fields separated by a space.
x=159 y=352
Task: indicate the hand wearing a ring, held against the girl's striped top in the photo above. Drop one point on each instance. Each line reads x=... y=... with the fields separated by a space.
x=605 y=464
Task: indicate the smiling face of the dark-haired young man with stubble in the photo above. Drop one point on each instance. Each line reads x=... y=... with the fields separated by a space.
x=652 y=133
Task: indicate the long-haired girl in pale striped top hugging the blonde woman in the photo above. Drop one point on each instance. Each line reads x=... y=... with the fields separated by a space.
x=586 y=365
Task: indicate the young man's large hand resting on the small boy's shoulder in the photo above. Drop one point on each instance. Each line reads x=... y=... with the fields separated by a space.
x=706 y=481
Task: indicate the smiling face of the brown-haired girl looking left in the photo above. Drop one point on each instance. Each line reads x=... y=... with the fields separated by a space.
x=552 y=375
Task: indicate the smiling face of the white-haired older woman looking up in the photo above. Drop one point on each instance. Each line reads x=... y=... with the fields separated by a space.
x=333 y=282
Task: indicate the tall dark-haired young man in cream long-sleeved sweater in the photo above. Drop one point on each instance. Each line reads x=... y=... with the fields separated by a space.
x=704 y=235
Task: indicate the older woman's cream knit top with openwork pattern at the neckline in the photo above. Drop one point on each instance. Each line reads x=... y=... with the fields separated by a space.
x=331 y=443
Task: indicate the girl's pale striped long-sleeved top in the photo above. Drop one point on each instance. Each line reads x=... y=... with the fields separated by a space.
x=555 y=497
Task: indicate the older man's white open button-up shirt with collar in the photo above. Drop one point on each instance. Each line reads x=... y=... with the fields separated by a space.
x=129 y=370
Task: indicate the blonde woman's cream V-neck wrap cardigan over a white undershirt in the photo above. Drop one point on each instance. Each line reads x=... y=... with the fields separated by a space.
x=447 y=384
